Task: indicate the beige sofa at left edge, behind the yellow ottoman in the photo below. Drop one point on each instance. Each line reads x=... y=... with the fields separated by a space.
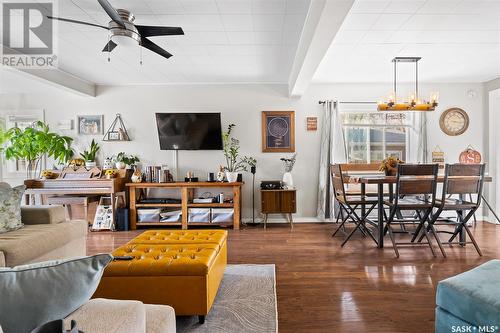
x=46 y=235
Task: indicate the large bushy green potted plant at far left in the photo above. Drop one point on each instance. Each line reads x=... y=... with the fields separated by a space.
x=33 y=143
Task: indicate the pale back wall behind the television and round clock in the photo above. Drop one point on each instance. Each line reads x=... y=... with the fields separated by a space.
x=242 y=105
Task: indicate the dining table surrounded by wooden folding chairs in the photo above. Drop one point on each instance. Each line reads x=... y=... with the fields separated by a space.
x=380 y=181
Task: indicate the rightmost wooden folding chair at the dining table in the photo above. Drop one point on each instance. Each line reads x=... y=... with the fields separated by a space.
x=462 y=180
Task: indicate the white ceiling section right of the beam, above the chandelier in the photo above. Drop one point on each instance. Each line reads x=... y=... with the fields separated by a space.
x=459 y=41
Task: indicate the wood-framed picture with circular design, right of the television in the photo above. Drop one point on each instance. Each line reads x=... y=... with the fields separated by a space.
x=278 y=131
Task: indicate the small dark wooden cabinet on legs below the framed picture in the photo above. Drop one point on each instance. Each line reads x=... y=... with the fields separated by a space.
x=281 y=201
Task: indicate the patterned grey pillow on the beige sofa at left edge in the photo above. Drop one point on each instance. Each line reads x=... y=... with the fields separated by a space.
x=10 y=208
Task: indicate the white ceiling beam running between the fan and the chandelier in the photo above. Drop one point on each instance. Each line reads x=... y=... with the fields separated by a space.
x=323 y=21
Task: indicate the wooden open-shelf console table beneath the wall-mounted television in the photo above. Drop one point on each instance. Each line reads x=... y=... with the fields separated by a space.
x=187 y=189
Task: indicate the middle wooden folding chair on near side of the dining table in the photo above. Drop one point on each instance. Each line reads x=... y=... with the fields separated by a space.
x=415 y=192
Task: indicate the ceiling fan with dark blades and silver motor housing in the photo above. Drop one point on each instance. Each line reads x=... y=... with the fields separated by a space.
x=123 y=30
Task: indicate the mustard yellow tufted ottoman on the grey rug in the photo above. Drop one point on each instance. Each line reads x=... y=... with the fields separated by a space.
x=182 y=269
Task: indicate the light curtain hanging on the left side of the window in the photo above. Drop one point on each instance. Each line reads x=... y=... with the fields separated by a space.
x=332 y=151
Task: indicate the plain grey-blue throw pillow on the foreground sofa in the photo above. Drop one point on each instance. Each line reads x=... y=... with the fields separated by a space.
x=38 y=293
